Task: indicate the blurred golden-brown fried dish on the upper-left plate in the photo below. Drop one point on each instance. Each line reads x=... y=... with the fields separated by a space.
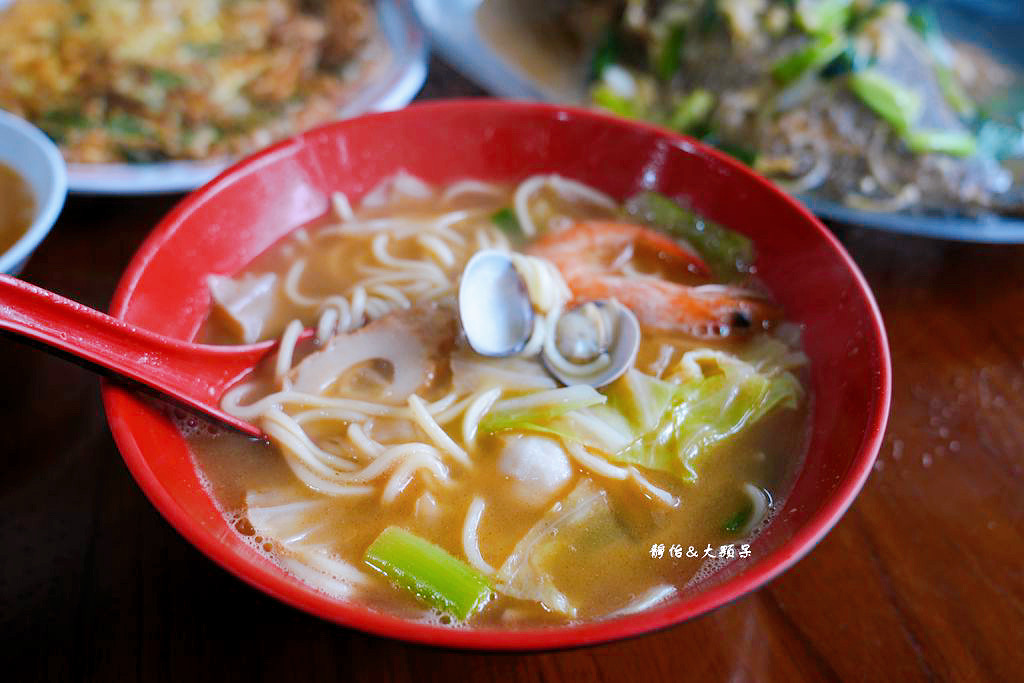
x=151 y=80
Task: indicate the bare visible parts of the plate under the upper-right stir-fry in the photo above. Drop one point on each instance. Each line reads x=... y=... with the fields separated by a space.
x=492 y=42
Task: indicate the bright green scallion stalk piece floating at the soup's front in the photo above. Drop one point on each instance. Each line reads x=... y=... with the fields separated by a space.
x=430 y=573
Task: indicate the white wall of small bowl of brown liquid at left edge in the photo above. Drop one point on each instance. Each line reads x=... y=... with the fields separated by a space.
x=35 y=158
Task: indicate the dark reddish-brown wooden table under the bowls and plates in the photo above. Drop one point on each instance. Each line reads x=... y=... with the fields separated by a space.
x=924 y=577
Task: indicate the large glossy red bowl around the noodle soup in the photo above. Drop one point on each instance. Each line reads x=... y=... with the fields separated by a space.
x=223 y=227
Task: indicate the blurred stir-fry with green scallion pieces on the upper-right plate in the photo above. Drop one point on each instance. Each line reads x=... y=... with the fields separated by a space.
x=860 y=102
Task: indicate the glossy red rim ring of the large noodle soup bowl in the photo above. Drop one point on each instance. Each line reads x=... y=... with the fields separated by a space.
x=116 y=400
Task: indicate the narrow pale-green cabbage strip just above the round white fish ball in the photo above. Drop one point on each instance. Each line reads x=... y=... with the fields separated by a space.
x=537 y=412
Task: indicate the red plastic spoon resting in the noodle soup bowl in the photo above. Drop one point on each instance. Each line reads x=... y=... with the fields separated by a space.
x=196 y=375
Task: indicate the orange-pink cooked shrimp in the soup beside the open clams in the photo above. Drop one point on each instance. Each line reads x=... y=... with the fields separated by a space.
x=590 y=252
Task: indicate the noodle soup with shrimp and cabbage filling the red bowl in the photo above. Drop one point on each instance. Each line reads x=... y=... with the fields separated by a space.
x=410 y=474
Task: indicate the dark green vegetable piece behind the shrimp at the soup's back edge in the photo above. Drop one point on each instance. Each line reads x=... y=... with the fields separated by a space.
x=730 y=254
